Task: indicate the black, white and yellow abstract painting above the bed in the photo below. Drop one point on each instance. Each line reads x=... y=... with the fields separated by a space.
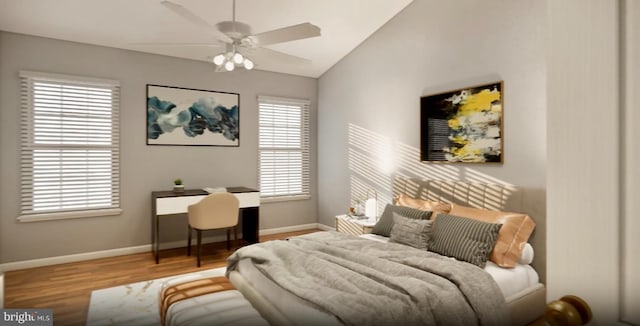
x=463 y=126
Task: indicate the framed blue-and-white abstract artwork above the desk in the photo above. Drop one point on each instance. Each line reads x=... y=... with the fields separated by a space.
x=182 y=116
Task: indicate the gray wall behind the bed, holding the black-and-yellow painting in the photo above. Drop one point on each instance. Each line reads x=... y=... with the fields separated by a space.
x=369 y=103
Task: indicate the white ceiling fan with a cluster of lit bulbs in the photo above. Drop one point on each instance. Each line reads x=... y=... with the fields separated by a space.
x=239 y=42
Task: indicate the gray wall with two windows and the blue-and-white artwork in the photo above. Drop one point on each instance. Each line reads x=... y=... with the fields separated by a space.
x=143 y=168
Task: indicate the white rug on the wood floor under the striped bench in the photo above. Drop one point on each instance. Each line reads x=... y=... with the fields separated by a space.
x=136 y=303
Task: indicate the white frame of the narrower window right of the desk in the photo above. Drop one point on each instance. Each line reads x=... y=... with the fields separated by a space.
x=304 y=149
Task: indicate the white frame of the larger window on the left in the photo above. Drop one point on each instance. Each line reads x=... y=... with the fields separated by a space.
x=29 y=145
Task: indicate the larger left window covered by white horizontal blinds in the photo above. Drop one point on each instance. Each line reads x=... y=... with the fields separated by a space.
x=69 y=147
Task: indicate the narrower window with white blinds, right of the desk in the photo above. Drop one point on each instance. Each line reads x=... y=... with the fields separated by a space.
x=284 y=148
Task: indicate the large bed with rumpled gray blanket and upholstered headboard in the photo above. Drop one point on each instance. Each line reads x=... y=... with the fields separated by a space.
x=329 y=278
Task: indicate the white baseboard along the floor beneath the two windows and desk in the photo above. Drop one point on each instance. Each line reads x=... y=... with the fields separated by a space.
x=138 y=249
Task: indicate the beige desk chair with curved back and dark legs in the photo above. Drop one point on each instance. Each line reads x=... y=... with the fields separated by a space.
x=216 y=211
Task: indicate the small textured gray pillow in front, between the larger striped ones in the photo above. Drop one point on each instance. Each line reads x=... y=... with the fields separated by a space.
x=411 y=232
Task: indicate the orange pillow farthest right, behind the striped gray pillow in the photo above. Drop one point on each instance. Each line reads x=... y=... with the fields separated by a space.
x=514 y=233
